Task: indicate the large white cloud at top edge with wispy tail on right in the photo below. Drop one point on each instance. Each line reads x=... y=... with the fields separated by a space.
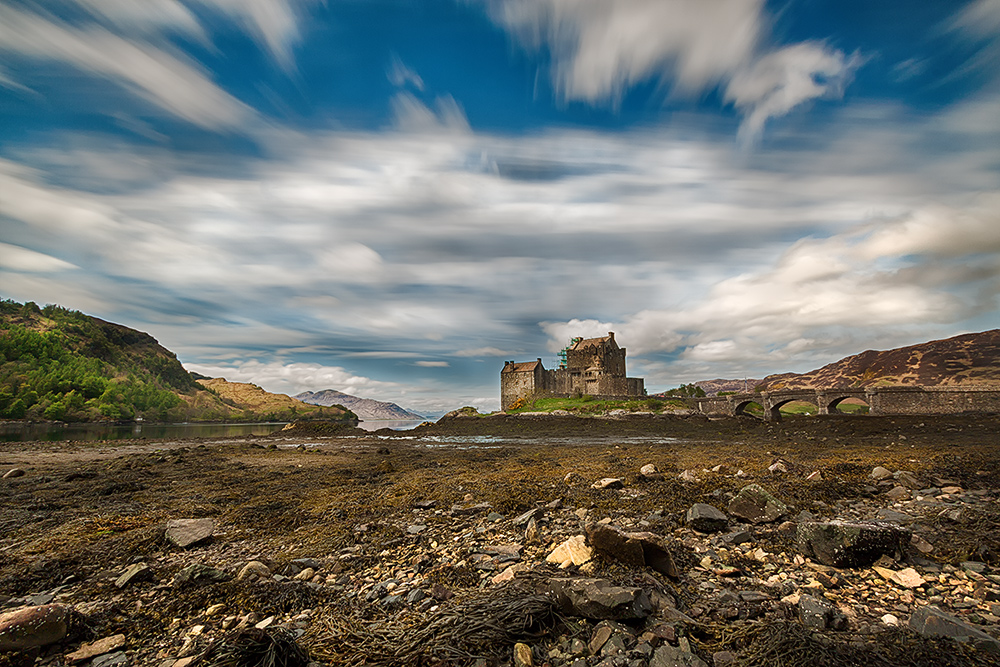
x=601 y=48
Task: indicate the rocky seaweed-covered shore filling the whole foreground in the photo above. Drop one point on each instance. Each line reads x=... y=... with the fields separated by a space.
x=620 y=542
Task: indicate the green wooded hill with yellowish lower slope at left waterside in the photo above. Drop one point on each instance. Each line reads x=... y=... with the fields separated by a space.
x=62 y=365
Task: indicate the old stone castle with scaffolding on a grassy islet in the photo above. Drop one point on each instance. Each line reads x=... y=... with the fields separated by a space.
x=591 y=366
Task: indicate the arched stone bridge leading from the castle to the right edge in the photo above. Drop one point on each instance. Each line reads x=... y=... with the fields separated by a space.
x=880 y=400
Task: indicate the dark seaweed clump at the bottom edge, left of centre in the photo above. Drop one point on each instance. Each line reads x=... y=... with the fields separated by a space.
x=273 y=647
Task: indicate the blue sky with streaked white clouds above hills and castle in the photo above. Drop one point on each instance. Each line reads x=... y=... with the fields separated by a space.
x=392 y=197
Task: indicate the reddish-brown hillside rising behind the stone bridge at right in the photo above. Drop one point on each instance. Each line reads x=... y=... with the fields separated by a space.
x=966 y=360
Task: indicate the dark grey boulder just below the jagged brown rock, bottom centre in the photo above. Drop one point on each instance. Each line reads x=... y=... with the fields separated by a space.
x=600 y=599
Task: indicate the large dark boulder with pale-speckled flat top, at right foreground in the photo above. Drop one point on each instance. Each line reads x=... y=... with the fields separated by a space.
x=842 y=544
